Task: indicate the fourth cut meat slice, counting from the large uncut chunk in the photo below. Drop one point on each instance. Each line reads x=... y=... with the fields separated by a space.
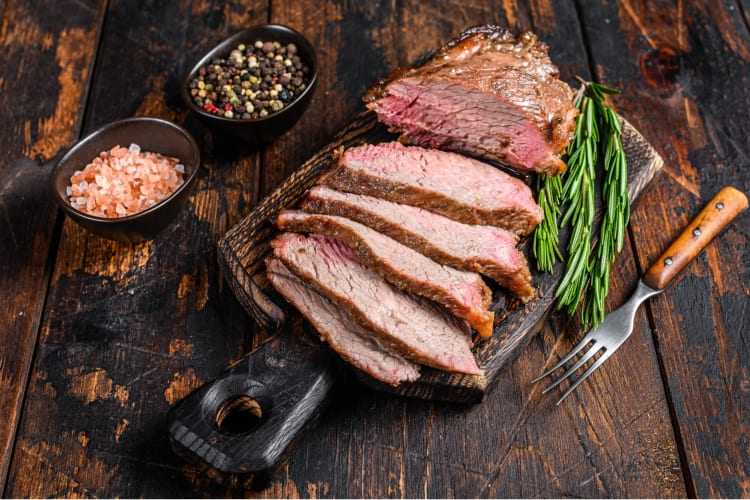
x=410 y=325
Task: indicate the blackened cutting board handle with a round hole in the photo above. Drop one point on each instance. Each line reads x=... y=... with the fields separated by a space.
x=240 y=426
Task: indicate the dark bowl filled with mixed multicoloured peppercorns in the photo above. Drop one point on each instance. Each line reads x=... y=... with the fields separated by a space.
x=254 y=85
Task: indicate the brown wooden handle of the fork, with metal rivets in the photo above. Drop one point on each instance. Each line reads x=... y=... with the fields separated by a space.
x=714 y=217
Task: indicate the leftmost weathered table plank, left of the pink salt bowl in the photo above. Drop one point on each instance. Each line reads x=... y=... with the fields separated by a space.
x=45 y=63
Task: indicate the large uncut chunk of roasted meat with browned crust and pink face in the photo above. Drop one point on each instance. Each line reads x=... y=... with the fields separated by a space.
x=486 y=93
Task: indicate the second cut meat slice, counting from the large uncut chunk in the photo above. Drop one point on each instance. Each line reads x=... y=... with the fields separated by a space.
x=486 y=250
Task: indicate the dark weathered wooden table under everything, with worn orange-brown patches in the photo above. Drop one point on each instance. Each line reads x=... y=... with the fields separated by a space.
x=100 y=338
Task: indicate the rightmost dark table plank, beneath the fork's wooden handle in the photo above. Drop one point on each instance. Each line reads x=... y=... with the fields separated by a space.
x=690 y=76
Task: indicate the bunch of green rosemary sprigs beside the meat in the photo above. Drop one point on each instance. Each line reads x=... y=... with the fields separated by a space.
x=585 y=278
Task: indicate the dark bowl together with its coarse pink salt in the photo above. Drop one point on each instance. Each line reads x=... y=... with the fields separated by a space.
x=128 y=180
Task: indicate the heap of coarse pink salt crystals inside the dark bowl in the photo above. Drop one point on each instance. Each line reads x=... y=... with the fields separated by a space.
x=124 y=181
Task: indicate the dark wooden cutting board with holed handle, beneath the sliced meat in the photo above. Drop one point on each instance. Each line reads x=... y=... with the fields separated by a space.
x=240 y=426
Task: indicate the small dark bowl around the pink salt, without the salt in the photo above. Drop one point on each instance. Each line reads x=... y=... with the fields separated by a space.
x=151 y=134
